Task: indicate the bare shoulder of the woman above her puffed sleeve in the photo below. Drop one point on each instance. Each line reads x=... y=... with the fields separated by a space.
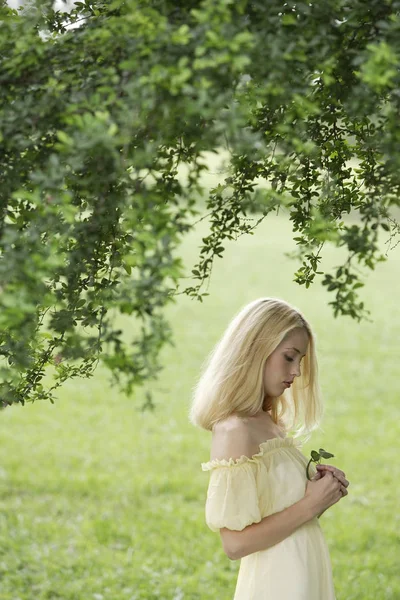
x=231 y=438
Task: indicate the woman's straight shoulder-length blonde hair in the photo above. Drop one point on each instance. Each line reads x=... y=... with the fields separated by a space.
x=231 y=381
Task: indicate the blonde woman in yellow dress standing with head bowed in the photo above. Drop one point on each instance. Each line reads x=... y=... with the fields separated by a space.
x=259 y=384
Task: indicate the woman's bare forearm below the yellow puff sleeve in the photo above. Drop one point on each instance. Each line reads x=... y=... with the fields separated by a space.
x=269 y=531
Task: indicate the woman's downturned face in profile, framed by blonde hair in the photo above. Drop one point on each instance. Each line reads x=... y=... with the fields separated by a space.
x=283 y=365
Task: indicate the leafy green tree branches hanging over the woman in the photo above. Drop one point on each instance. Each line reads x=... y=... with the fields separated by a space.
x=99 y=107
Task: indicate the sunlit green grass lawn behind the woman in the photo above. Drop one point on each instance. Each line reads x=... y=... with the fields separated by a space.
x=102 y=501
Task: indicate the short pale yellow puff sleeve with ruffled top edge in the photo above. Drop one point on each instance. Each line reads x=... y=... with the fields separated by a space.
x=232 y=496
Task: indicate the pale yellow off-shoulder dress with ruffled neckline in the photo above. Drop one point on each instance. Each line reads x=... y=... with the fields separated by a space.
x=245 y=490
